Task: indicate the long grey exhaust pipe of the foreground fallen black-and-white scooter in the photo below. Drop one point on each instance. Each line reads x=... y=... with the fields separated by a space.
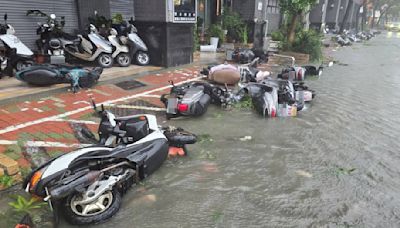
x=62 y=191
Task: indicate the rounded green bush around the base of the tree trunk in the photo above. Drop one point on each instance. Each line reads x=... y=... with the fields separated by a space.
x=308 y=42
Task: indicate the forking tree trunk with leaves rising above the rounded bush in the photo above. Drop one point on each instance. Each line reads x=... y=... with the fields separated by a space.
x=295 y=8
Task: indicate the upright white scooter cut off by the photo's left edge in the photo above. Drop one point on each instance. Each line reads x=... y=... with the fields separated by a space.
x=17 y=54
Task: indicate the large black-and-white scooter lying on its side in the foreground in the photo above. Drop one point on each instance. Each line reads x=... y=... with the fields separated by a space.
x=87 y=184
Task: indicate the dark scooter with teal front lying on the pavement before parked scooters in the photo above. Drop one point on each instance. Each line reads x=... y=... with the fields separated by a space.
x=46 y=74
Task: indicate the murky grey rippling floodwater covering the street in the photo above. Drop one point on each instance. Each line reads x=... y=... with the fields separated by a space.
x=335 y=165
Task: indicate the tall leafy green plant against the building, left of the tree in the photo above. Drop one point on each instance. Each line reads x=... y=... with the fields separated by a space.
x=232 y=22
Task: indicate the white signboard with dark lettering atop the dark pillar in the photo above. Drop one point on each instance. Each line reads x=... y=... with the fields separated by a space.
x=185 y=11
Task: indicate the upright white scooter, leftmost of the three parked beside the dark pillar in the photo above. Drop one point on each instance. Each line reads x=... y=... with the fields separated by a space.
x=91 y=48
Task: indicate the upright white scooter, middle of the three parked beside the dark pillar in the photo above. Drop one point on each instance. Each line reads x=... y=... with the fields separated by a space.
x=121 y=52
